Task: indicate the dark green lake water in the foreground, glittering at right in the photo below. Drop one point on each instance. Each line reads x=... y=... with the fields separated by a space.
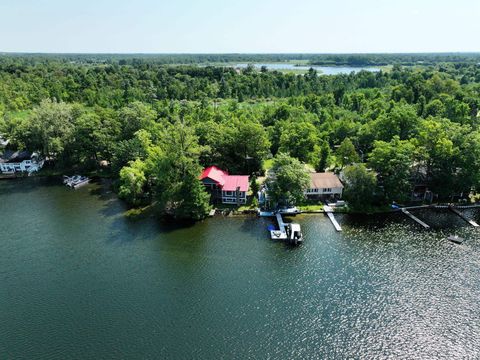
x=80 y=280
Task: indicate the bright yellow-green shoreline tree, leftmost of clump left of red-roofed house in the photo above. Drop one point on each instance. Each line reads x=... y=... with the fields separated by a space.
x=132 y=182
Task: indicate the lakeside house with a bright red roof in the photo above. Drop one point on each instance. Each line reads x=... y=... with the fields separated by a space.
x=230 y=189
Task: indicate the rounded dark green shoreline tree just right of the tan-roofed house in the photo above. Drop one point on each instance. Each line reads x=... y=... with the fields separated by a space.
x=360 y=185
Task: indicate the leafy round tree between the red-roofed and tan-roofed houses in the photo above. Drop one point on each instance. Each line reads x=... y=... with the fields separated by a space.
x=287 y=180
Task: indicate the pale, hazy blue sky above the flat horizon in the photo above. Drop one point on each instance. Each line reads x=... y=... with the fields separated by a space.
x=242 y=26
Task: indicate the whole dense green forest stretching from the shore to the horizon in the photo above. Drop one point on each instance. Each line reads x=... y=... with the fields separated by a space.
x=156 y=126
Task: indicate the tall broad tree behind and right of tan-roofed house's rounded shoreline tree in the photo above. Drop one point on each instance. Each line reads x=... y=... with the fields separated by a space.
x=393 y=162
